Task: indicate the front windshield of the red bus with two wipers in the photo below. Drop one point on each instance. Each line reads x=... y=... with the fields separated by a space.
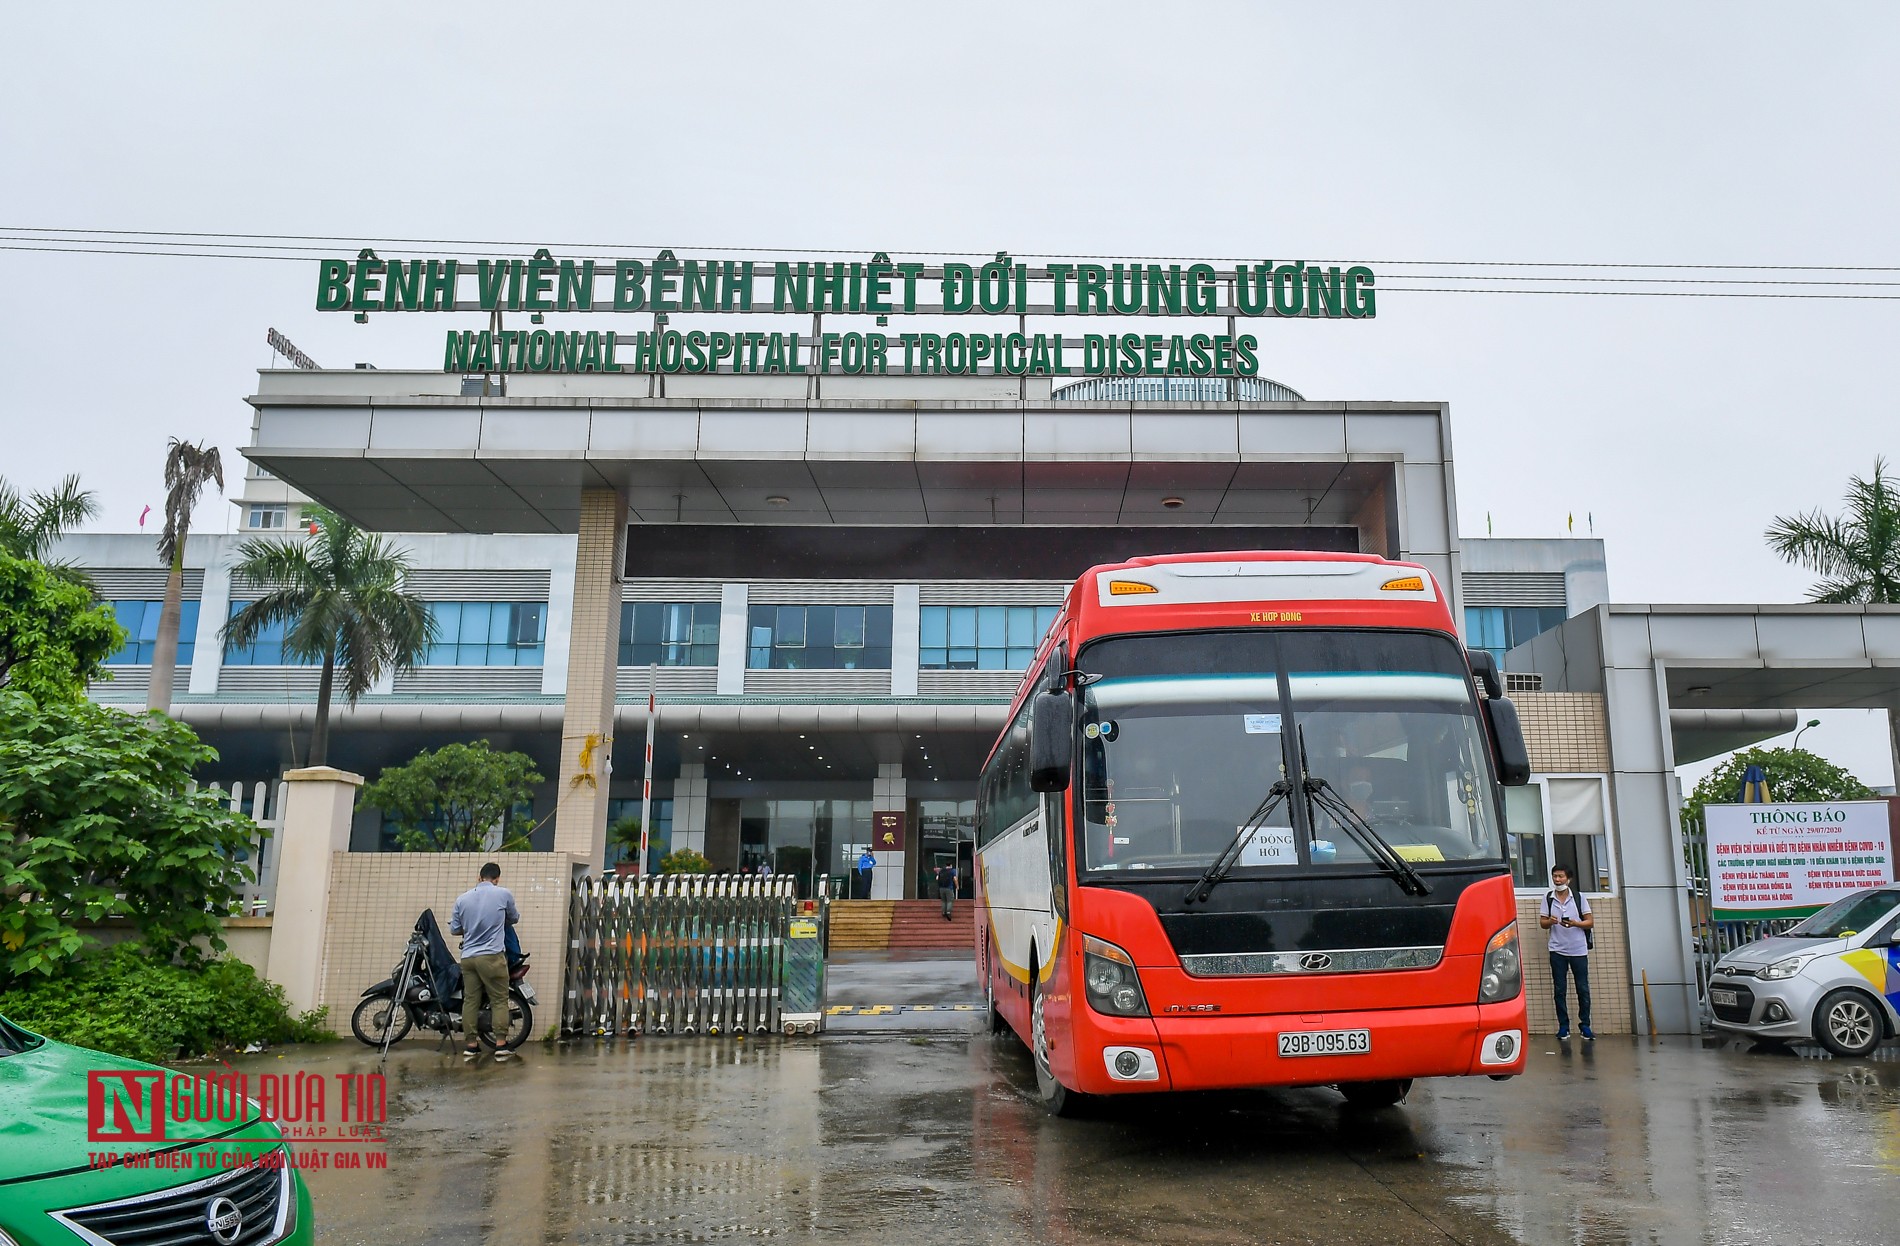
x=1187 y=736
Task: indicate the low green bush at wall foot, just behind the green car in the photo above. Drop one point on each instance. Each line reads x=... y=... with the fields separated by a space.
x=132 y=1004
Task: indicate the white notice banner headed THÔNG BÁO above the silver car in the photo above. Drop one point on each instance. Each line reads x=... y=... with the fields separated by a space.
x=1789 y=861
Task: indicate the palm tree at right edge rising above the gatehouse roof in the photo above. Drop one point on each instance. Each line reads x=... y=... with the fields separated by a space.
x=1857 y=554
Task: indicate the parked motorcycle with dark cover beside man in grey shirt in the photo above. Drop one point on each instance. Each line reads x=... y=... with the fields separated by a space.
x=427 y=991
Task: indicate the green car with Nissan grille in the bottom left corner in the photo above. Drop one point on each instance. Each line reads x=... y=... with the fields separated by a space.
x=90 y=1156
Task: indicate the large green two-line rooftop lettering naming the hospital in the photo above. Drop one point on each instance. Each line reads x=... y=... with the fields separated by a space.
x=875 y=288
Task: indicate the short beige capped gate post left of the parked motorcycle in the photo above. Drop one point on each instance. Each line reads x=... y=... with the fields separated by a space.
x=316 y=825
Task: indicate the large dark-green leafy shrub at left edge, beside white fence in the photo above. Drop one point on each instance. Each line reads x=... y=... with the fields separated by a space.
x=98 y=820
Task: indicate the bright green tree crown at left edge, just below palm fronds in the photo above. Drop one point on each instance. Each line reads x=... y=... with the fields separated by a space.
x=54 y=637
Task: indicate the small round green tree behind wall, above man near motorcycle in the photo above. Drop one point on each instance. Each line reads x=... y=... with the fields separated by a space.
x=449 y=799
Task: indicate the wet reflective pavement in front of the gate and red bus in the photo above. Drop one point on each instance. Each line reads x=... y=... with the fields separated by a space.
x=936 y=1137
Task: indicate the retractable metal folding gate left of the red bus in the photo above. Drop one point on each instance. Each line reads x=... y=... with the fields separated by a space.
x=694 y=954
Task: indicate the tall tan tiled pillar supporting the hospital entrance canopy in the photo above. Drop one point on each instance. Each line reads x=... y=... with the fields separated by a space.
x=594 y=662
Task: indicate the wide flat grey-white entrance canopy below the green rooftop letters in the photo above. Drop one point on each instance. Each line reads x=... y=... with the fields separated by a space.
x=396 y=453
